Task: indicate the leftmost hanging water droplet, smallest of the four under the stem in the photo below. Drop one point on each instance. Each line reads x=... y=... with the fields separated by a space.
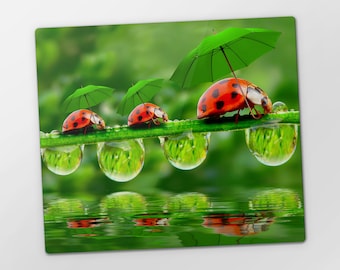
x=62 y=160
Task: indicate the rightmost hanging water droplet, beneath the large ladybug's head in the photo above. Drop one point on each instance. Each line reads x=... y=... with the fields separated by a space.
x=272 y=145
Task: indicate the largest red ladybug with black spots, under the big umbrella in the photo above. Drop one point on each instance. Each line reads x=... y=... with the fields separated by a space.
x=226 y=96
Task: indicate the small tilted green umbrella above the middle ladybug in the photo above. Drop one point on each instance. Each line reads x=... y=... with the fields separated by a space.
x=143 y=91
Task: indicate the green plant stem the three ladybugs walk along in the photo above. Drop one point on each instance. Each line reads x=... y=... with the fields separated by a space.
x=168 y=129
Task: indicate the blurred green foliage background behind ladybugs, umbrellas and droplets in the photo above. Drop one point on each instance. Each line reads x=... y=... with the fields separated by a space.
x=118 y=56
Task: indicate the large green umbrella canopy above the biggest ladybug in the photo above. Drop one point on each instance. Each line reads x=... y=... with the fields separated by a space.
x=223 y=53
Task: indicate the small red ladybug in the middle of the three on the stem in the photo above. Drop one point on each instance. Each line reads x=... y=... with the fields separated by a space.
x=147 y=113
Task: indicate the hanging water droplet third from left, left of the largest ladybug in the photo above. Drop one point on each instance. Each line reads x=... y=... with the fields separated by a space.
x=186 y=151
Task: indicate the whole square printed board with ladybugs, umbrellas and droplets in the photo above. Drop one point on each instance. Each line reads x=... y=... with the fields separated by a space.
x=170 y=135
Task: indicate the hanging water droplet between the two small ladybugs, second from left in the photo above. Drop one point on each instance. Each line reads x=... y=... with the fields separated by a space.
x=121 y=161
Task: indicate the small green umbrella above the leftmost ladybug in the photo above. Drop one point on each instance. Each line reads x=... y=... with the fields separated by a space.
x=86 y=97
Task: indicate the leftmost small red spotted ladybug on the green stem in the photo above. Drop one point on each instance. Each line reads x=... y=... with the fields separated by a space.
x=81 y=120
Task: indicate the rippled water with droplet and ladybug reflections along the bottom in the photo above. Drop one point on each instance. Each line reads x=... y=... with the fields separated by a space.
x=127 y=220
